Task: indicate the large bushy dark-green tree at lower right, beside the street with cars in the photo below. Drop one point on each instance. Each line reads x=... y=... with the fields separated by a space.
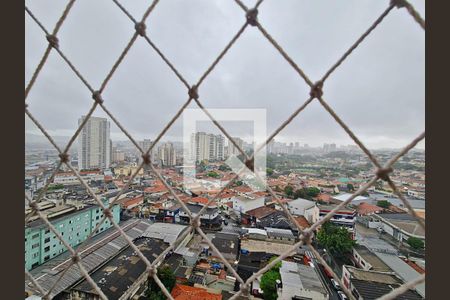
x=335 y=239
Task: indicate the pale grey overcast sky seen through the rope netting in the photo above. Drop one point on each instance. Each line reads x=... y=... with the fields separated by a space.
x=379 y=91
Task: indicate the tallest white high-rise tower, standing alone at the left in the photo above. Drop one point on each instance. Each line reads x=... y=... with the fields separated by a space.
x=94 y=144
